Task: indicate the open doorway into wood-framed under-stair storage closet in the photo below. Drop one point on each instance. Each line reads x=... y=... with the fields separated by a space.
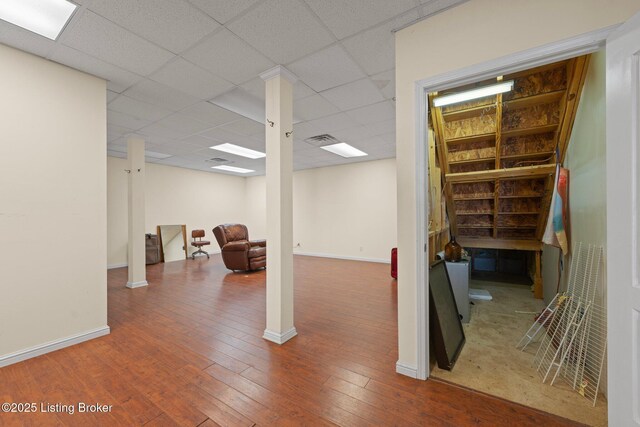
x=492 y=162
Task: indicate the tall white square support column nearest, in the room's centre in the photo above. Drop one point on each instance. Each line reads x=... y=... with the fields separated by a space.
x=279 y=142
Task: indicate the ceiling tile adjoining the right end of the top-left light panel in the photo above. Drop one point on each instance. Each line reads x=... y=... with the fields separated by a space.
x=103 y=39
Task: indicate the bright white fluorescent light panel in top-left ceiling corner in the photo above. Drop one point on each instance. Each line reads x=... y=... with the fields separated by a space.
x=45 y=17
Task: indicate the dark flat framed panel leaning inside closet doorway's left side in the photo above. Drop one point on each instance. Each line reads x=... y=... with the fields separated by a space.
x=444 y=320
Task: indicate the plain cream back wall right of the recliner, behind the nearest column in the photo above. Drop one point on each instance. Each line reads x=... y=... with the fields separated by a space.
x=346 y=211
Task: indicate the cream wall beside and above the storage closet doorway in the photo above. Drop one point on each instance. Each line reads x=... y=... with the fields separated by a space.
x=474 y=32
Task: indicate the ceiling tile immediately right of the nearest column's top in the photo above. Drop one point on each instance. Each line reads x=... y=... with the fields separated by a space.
x=327 y=68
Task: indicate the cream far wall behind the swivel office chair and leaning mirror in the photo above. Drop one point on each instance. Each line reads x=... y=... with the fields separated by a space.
x=173 y=196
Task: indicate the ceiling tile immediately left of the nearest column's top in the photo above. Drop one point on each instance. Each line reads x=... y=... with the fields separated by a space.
x=227 y=56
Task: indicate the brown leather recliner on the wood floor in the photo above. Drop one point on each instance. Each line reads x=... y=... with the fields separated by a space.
x=238 y=252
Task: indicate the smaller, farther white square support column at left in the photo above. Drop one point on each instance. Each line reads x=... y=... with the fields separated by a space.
x=136 y=246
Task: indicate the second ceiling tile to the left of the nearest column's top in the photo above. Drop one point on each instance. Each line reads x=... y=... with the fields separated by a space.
x=191 y=79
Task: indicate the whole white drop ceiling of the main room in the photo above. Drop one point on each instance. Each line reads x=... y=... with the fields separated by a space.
x=164 y=60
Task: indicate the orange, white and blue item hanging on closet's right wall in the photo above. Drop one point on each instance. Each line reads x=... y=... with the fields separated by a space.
x=555 y=233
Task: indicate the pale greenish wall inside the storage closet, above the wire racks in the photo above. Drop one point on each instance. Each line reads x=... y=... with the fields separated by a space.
x=585 y=160
